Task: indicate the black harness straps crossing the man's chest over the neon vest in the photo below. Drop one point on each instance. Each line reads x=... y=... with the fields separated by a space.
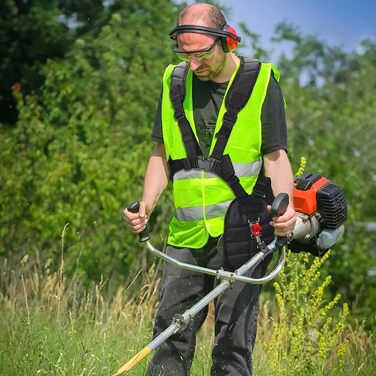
x=236 y=98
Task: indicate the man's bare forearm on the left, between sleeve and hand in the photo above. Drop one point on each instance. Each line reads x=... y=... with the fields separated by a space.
x=156 y=178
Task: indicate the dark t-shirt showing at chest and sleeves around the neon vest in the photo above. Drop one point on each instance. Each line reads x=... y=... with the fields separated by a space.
x=207 y=100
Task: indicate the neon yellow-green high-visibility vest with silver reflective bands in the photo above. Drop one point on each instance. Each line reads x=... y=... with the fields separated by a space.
x=201 y=198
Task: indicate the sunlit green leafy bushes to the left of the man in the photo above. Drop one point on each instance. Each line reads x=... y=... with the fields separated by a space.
x=80 y=145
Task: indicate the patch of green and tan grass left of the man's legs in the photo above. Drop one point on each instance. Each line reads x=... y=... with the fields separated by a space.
x=52 y=326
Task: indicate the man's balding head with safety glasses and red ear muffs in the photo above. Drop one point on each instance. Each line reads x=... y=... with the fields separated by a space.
x=203 y=38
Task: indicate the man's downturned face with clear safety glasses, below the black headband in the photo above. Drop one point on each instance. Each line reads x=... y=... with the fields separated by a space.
x=205 y=65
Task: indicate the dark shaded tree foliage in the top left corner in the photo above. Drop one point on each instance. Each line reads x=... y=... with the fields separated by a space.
x=31 y=32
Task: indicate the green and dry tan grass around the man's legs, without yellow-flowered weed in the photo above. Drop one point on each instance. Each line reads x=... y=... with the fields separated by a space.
x=50 y=325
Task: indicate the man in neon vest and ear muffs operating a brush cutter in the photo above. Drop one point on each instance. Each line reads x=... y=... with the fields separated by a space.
x=205 y=42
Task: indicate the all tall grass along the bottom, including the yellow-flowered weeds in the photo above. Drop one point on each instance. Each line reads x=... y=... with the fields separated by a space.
x=52 y=325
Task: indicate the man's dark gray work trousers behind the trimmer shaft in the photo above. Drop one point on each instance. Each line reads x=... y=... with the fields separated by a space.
x=236 y=312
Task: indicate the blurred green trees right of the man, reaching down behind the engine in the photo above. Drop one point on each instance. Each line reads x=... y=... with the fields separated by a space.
x=329 y=95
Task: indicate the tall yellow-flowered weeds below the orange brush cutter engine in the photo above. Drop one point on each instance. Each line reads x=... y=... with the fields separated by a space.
x=308 y=333
